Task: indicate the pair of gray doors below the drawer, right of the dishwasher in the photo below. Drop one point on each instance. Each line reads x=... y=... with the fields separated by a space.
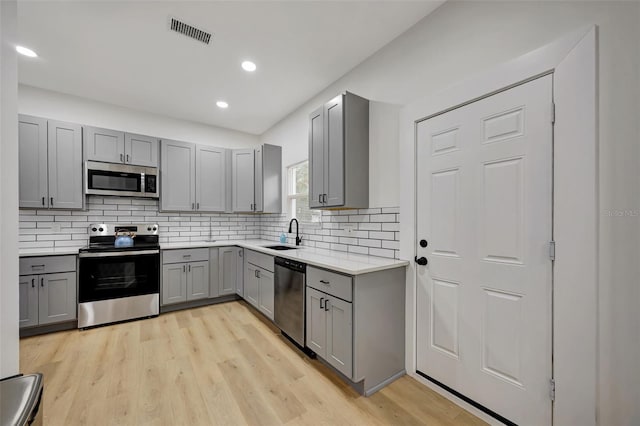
x=330 y=329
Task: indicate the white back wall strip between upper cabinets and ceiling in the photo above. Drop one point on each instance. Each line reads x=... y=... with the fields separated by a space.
x=60 y=106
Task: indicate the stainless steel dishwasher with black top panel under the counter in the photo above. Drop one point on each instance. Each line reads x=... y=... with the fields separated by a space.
x=289 y=301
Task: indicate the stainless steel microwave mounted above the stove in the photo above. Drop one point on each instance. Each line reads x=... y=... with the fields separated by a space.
x=120 y=179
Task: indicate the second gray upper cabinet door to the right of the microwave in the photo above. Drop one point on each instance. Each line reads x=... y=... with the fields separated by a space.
x=211 y=179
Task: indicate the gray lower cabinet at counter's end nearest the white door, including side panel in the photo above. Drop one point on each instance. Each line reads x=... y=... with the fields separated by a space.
x=356 y=324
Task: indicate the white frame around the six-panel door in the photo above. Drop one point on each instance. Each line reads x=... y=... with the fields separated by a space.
x=573 y=61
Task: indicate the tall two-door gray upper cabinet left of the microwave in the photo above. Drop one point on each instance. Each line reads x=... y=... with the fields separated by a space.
x=50 y=164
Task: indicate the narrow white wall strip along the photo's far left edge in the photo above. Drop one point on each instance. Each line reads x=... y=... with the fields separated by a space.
x=8 y=192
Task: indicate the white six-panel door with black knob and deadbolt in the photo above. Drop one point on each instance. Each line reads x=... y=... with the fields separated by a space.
x=484 y=207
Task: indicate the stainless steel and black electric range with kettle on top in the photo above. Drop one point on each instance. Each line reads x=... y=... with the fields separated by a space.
x=119 y=283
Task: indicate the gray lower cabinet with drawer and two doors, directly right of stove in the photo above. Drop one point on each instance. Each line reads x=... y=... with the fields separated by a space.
x=185 y=275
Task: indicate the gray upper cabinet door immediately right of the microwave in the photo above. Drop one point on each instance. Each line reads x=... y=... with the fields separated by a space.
x=177 y=185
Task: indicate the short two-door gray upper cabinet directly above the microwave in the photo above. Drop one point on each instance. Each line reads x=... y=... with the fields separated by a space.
x=112 y=146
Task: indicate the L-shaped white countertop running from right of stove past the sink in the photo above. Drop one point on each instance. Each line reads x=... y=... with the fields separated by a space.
x=347 y=263
